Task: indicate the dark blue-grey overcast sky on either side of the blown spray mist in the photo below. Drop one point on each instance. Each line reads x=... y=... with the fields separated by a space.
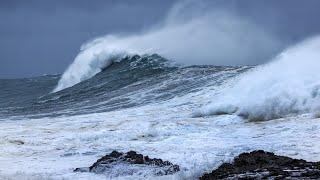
x=43 y=36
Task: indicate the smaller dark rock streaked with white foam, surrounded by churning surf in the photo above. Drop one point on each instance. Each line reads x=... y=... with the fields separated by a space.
x=130 y=163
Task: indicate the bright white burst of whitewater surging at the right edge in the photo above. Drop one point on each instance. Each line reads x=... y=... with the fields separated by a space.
x=290 y=84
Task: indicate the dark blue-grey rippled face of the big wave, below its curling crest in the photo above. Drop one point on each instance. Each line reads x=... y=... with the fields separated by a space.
x=126 y=81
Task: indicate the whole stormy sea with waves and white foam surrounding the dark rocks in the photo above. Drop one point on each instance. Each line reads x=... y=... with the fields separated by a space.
x=196 y=116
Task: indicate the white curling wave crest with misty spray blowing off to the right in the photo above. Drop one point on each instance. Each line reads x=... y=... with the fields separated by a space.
x=191 y=34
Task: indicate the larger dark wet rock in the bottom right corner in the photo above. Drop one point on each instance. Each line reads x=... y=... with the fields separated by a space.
x=265 y=165
